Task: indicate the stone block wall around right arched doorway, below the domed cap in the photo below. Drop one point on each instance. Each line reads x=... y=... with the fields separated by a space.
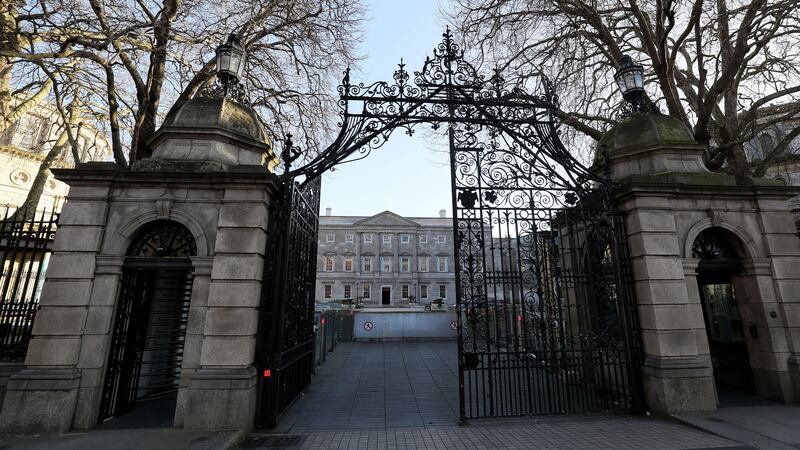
x=664 y=216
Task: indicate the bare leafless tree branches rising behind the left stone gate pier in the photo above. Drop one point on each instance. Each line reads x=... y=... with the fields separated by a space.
x=132 y=60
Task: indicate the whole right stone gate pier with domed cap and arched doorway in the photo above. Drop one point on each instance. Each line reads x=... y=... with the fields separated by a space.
x=716 y=268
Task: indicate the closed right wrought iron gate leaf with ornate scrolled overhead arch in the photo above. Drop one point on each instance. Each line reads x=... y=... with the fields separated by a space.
x=546 y=317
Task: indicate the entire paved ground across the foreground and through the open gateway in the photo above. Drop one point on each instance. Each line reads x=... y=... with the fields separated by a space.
x=403 y=395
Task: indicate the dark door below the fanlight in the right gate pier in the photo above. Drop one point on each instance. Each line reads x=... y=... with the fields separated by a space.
x=726 y=335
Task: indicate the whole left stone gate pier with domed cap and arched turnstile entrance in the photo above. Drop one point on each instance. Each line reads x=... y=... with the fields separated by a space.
x=176 y=243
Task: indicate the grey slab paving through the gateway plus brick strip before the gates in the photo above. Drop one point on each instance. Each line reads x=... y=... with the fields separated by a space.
x=404 y=395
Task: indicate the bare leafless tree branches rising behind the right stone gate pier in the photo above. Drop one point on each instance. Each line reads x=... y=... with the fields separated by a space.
x=729 y=69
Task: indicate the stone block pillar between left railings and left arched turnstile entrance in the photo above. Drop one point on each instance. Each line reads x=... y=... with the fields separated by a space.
x=42 y=398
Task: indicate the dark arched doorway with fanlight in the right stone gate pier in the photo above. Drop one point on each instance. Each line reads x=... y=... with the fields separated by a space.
x=717 y=270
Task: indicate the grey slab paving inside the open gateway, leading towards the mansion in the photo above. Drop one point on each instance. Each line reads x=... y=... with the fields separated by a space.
x=380 y=385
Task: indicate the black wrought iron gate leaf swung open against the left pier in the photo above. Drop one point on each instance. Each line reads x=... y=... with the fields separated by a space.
x=286 y=343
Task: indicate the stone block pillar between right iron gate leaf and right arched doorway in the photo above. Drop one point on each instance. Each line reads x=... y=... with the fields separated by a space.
x=677 y=372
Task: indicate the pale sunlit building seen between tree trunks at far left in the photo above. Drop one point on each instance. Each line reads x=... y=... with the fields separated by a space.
x=24 y=145
